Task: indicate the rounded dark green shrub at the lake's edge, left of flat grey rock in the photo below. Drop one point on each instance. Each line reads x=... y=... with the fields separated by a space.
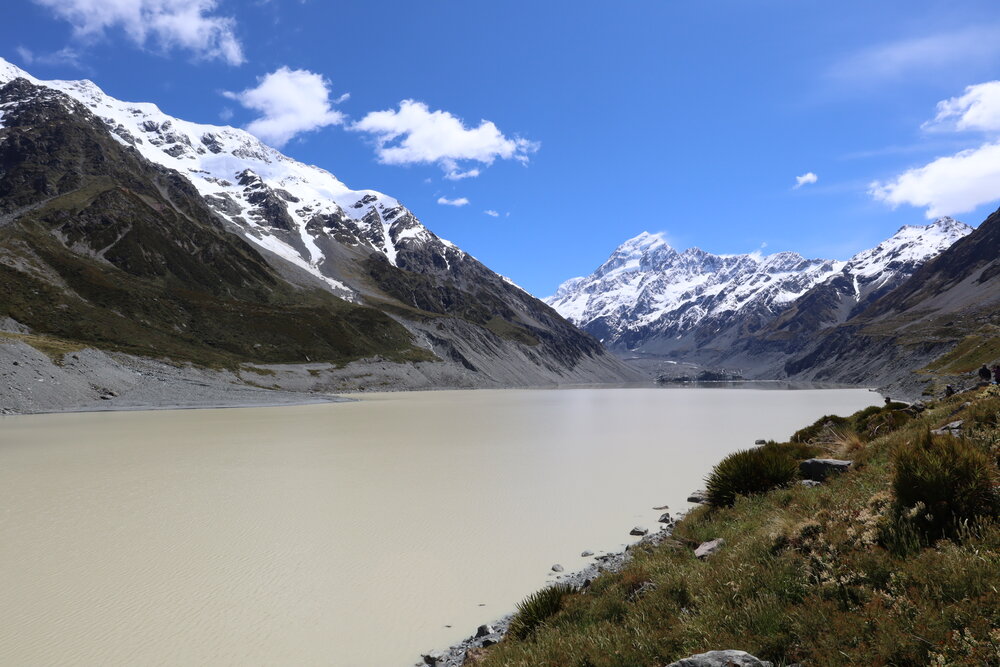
x=749 y=472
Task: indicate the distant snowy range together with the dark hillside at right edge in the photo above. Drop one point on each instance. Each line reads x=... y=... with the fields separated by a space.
x=925 y=292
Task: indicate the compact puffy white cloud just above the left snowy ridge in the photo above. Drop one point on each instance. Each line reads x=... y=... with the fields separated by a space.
x=290 y=102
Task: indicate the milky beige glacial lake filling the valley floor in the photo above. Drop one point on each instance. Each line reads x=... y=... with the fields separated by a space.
x=347 y=534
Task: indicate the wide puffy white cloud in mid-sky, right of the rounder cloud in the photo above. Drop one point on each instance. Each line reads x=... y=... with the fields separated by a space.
x=414 y=134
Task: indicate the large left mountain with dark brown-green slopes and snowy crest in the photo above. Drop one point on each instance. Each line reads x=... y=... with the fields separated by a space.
x=128 y=230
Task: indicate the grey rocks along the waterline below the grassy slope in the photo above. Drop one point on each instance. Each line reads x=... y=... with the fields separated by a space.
x=488 y=634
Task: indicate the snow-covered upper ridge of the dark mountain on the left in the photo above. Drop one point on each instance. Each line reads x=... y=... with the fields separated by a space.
x=284 y=206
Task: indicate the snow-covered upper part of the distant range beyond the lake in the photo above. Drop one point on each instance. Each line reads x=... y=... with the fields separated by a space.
x=650 y=297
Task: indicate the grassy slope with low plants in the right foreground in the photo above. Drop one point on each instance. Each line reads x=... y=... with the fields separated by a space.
x=802 y=577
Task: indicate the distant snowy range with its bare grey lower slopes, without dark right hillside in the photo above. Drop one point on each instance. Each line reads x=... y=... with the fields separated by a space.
x=751 y=312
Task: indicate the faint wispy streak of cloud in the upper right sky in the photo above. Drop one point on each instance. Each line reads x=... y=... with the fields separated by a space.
x=976 y=45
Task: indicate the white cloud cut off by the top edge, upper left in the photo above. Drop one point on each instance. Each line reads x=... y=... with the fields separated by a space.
x=167 y=24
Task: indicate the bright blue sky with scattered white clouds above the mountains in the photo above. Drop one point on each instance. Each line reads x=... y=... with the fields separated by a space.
x=607 y=119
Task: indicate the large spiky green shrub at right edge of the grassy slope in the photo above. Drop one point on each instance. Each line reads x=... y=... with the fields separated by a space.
x=942 y=483
